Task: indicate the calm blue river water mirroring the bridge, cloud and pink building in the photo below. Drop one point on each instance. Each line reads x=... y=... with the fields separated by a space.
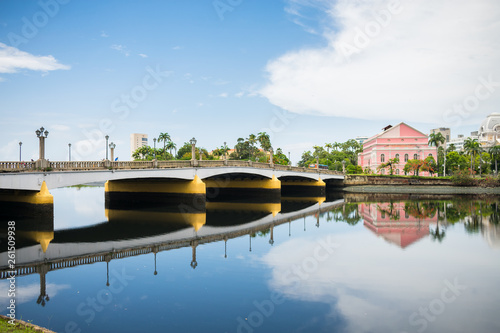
x=353 y=263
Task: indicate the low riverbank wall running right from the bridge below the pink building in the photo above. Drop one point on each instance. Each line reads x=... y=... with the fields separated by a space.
x=416 y=189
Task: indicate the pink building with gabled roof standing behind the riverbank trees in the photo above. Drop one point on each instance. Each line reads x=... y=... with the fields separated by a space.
x=402 y=141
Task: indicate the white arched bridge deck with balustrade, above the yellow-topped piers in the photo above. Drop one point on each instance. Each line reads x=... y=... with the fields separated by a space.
x=25 y=176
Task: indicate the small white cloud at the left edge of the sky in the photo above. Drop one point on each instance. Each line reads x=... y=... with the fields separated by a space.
x=13 y=59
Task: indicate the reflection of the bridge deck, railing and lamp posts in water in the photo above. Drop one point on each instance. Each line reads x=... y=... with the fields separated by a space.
x=79 y=250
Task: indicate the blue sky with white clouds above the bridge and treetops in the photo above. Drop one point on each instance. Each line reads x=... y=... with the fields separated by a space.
x=300 y=70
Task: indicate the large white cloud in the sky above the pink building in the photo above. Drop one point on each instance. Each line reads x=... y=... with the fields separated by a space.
x=422 y=61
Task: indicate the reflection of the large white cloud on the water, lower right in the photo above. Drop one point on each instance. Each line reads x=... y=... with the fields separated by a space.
x=376 y=287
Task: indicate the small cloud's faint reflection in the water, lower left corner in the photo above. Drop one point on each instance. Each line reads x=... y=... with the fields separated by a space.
x=28 y=293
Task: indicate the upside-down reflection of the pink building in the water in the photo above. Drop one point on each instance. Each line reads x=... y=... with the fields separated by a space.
x=394 y=224
